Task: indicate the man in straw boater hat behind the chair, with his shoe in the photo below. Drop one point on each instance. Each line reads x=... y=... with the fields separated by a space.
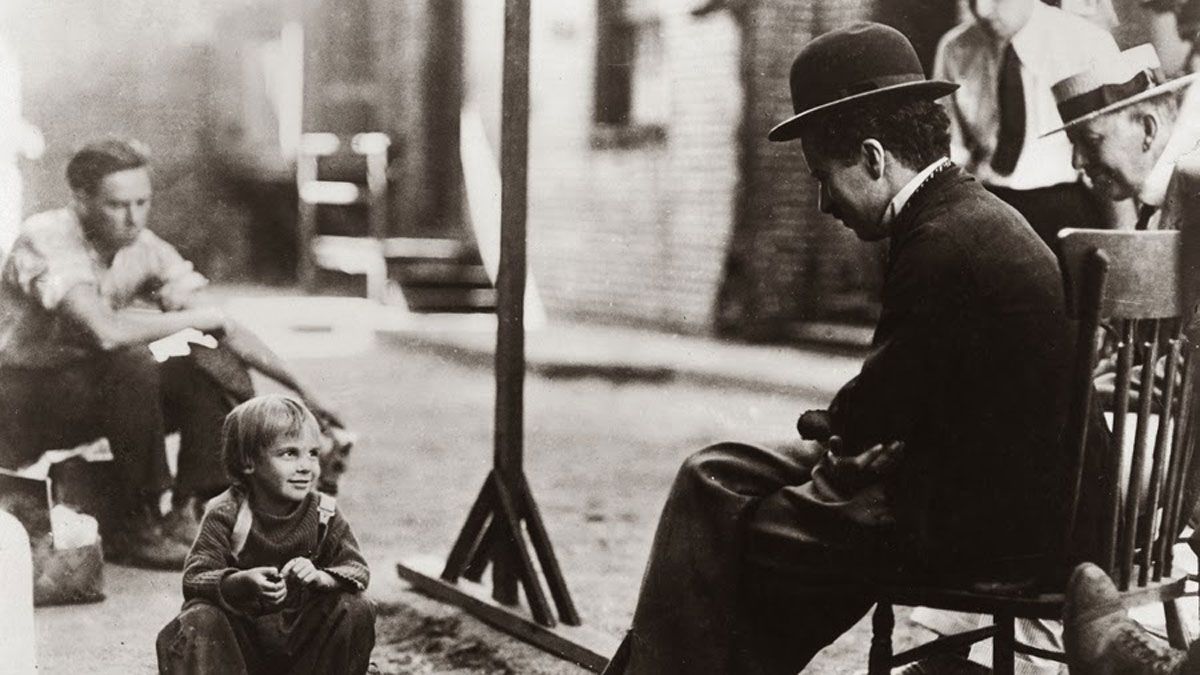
x=1123 y=118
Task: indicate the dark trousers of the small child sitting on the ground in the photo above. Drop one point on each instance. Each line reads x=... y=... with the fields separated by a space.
x=333 y=632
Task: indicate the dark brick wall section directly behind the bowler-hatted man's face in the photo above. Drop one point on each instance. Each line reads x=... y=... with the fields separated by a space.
x=789 y=264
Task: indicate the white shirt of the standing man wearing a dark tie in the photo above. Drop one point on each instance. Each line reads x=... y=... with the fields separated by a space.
x=1053 y=45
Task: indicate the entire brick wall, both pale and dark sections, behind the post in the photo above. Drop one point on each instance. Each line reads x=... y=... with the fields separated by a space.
x=713 y=228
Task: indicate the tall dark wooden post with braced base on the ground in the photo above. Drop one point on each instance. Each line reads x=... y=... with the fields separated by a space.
x=506 y=512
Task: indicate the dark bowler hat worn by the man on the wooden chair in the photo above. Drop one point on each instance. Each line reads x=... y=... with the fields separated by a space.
x=851 y=64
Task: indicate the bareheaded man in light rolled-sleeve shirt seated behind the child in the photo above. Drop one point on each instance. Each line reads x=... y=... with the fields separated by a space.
x=82 y=295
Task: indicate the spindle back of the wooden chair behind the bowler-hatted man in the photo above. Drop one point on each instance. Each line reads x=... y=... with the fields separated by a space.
x=1130 y=285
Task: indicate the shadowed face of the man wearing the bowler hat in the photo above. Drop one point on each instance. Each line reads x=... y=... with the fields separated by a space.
x=848 y=193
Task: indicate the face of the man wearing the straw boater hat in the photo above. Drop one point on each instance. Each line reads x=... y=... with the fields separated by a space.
x=1111 y=150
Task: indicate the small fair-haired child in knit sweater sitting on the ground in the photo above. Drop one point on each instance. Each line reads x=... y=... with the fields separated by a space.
x=274 y=581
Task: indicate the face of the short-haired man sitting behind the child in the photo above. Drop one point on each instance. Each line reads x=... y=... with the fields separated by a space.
x=118 y=211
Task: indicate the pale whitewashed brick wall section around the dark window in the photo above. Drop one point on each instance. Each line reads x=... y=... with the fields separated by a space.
x=634 y=235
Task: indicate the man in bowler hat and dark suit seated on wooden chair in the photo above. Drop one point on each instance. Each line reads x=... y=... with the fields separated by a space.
x=940 y=458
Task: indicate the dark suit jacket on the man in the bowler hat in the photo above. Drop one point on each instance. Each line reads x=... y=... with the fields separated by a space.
x=969 y=368
